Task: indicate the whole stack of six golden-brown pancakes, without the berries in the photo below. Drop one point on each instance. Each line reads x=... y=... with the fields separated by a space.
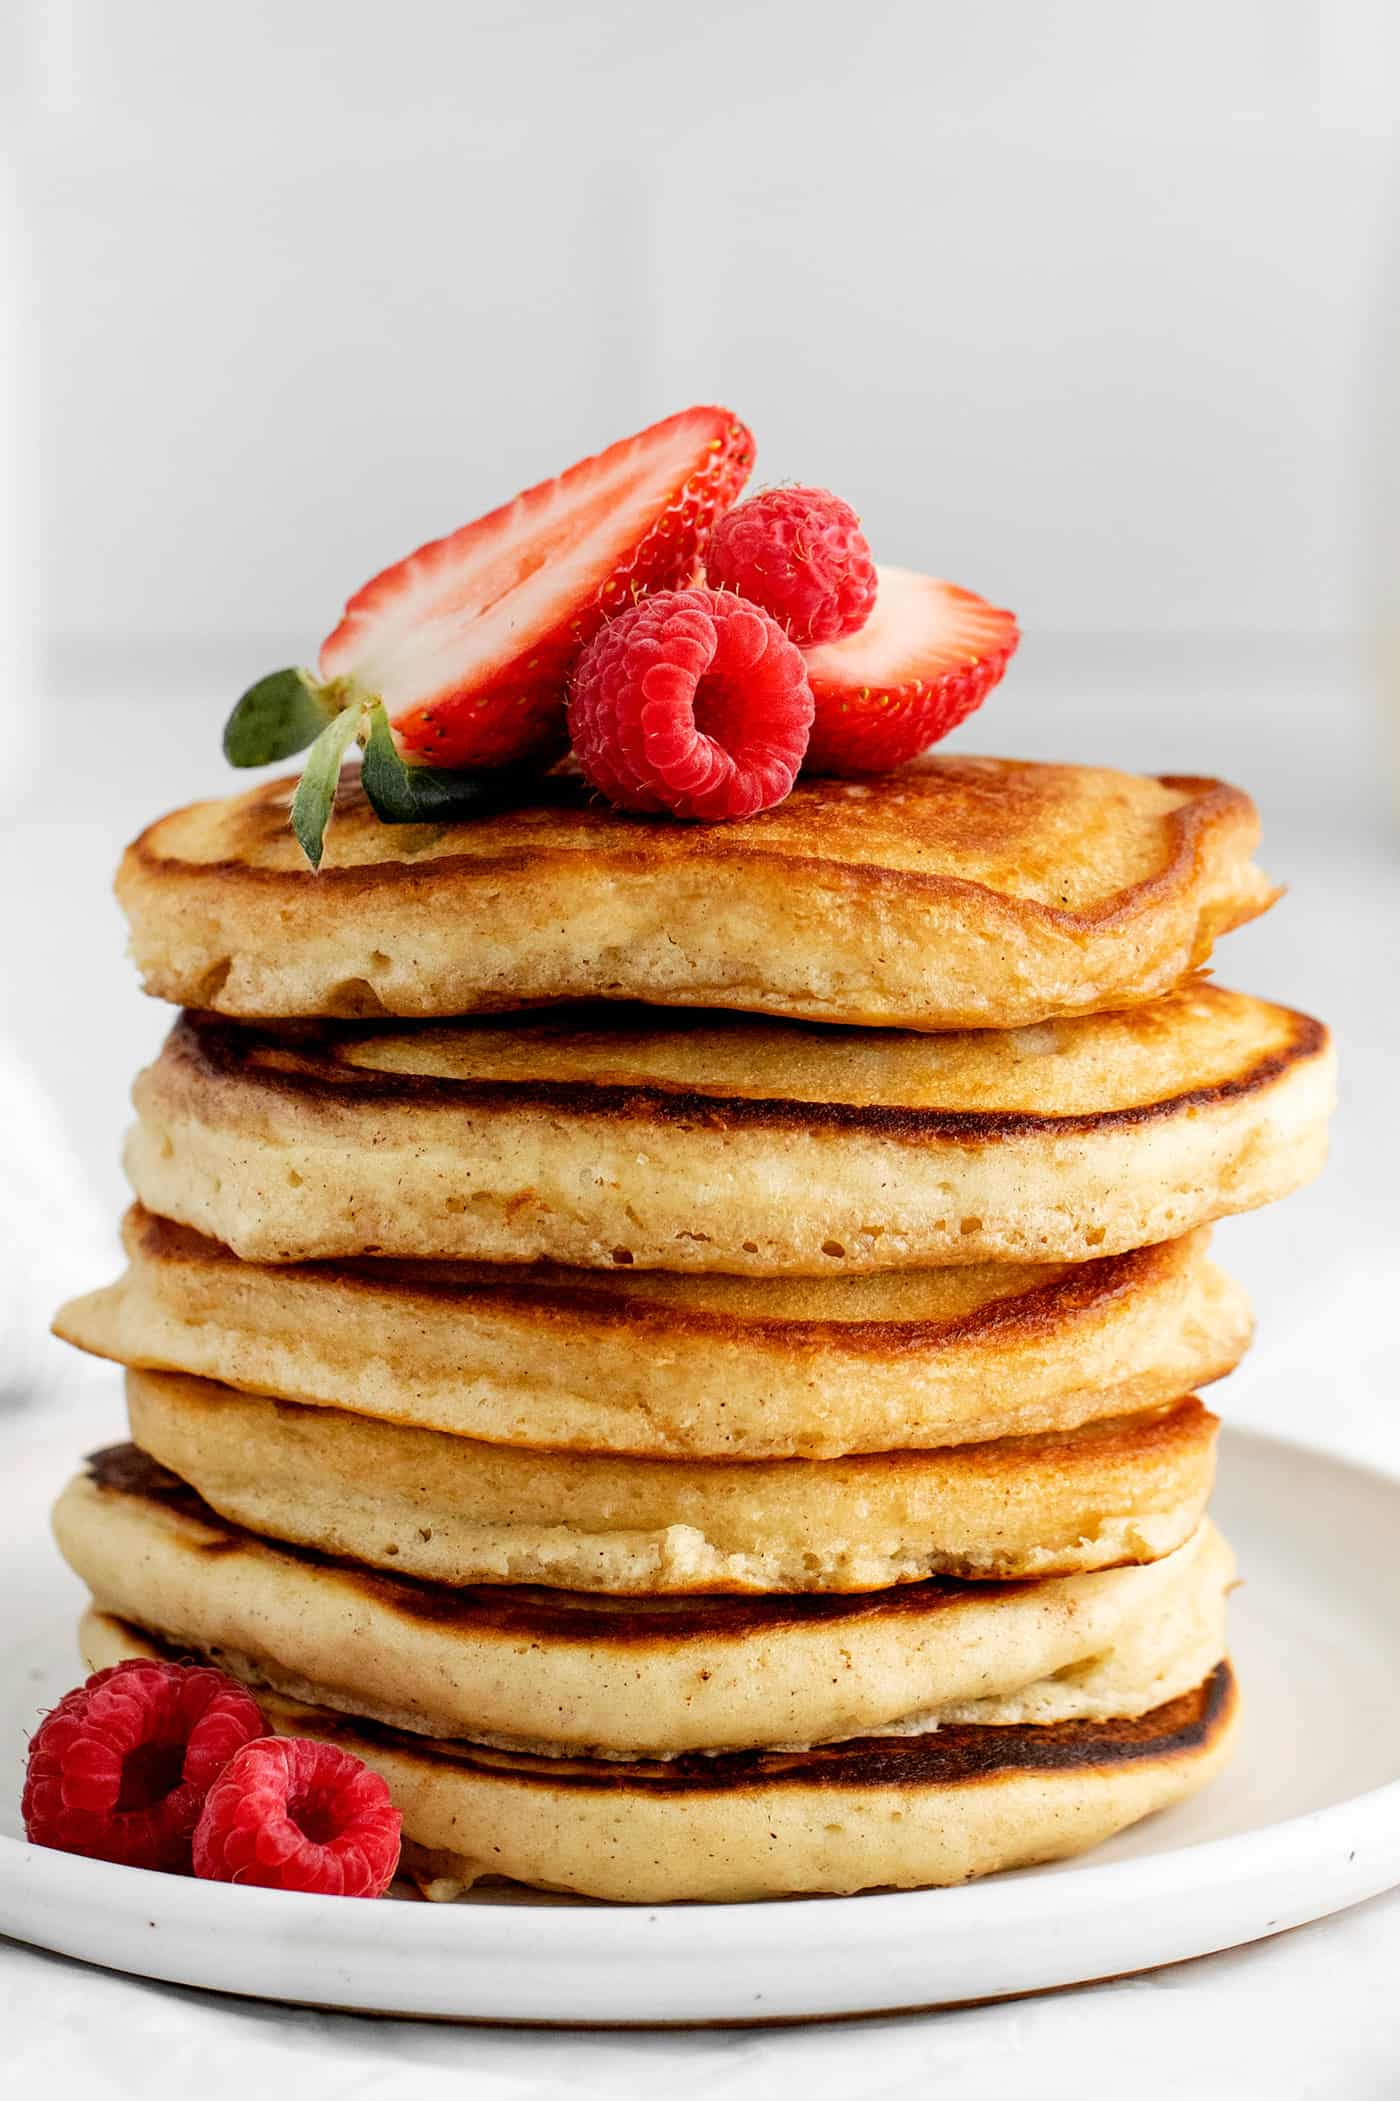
x=678 y=1344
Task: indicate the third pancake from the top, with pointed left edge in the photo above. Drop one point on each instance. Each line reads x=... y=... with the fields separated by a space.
x=657 y=1365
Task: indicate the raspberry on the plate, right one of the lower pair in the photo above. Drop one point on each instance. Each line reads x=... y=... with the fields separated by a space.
x=295 y=1814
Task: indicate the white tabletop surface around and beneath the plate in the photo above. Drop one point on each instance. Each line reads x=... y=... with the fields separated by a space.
x=1313 y=2014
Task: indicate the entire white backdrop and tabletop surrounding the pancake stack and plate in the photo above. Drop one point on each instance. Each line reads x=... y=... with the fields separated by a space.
x=1088 y=304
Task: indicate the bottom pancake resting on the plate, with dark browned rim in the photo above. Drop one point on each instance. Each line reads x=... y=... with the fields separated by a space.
x=873 y=1814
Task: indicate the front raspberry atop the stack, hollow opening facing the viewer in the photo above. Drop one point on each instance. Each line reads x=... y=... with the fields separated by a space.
x=693 y=703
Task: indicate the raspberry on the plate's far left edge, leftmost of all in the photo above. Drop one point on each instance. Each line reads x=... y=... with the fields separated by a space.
x=121 y=1768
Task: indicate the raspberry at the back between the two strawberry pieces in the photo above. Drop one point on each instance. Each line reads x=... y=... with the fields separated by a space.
x=800 y=556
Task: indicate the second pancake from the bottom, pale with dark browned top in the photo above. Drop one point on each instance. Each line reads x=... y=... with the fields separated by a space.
x=554 y=1671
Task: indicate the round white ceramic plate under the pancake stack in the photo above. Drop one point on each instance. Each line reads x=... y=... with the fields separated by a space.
x=1304 y=1823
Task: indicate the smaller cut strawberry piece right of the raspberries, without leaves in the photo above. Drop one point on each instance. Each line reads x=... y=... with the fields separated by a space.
x=924 y=661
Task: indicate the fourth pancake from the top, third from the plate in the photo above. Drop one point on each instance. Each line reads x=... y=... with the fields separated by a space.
x=459 y=1512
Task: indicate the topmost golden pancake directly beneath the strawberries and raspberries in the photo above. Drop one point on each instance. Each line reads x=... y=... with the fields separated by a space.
x=955 y=894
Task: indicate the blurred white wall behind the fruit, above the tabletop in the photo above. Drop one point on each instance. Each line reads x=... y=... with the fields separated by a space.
x=1079 y=301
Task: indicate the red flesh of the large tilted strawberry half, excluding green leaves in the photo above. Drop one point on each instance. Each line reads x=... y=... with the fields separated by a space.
x=470 y=640
